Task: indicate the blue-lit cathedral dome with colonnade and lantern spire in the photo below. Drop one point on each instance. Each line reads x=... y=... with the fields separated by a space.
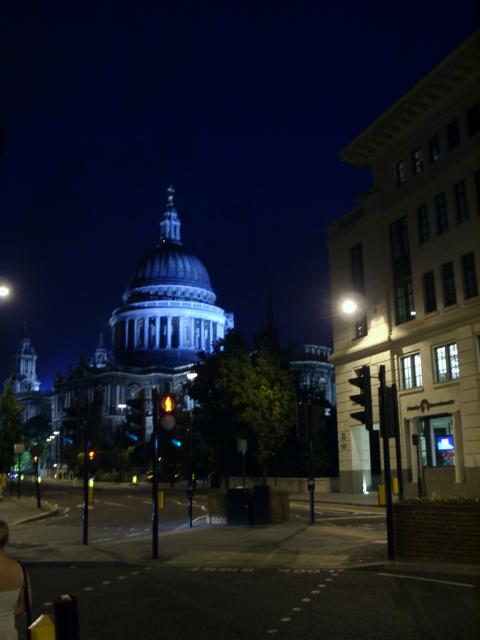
x=168 y=314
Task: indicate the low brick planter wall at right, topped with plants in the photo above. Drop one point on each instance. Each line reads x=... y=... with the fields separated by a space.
x=446 y=532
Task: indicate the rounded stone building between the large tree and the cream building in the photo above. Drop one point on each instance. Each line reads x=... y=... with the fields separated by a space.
x=315 y=373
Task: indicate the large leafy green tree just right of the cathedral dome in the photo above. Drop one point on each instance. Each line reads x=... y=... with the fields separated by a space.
x=243 y=395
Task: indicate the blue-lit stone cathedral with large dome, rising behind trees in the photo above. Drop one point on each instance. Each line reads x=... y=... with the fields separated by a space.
x=167 y=316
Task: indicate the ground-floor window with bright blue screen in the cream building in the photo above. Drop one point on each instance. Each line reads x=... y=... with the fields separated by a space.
x=436 y=441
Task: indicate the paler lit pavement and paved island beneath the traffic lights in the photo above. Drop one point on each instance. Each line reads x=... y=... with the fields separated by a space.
x=292 y=544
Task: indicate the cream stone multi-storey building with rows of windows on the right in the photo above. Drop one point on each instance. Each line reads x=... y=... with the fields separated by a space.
x=408 y=256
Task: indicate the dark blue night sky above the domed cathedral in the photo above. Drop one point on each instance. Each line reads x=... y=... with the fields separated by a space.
x=242 y=106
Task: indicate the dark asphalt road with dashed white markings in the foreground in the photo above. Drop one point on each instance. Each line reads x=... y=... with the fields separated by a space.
x=157 y=601
